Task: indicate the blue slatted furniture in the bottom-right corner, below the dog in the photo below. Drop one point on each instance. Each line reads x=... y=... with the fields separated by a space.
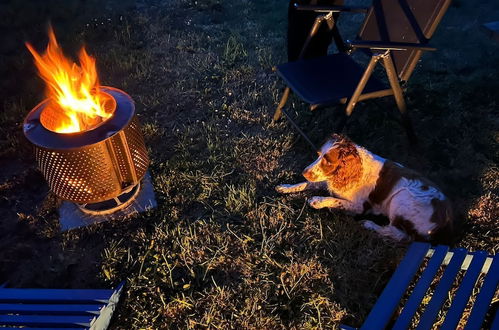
x=454 y=260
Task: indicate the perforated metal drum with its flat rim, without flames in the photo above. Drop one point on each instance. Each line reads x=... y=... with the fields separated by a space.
x=95 y=165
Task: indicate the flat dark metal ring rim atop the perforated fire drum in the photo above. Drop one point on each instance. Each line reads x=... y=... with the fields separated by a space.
x=46 y=139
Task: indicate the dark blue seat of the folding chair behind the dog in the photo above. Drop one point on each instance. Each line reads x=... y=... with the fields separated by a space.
x=326 y=80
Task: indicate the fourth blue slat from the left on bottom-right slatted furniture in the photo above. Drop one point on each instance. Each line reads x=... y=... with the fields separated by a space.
x=464 y=292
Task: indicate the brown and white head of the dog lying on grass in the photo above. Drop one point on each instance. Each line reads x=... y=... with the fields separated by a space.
x=338 y=162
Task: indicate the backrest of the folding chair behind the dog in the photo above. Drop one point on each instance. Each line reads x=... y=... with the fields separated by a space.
x=412 y=21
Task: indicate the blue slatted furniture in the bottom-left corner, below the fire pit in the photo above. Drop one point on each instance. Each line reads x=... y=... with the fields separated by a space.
x=57 y=308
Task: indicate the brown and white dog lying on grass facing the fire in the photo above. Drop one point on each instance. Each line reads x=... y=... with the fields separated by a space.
x=360 y=182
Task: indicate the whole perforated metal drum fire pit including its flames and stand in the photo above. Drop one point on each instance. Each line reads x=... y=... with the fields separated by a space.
x=87 y=137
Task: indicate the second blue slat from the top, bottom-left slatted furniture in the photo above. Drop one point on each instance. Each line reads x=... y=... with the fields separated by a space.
x=50 y=309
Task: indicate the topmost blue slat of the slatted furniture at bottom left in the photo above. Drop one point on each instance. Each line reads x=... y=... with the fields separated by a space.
x=54 y=295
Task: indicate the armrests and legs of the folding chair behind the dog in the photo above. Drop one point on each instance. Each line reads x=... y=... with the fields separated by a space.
x=381 y=52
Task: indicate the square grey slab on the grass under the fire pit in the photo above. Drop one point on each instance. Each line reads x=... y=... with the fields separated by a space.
x=71 y=216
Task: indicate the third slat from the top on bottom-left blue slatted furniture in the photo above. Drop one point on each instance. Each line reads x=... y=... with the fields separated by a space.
x=46 y=320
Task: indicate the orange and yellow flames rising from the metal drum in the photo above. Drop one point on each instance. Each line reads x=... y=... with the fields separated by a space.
x=76 y=102
